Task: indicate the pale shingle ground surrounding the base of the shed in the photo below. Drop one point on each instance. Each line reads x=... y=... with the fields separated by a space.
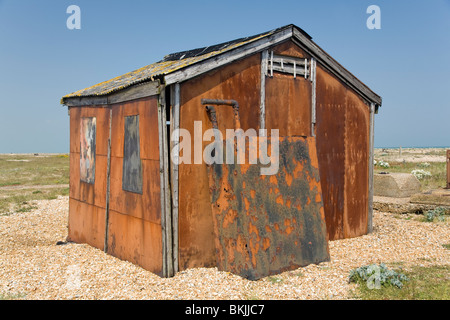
x=32 y=266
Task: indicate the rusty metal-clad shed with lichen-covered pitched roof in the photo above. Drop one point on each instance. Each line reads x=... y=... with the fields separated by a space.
x=129 y=198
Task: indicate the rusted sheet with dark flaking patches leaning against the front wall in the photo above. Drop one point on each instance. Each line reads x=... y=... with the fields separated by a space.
x=268 y=224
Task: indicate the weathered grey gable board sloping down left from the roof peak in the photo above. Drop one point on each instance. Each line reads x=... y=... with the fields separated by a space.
x=227 y=57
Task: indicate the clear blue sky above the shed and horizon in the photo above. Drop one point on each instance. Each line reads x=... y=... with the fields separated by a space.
x=407 y=61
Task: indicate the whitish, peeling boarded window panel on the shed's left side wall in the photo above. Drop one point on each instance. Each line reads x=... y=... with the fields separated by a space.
x=87 y=149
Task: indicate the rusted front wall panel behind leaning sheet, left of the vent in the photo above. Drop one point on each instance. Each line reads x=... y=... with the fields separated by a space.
x=240 y=79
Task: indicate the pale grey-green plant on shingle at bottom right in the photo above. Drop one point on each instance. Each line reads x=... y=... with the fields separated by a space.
x=376 y=276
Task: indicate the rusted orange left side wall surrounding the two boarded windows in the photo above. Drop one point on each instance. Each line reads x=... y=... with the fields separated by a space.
x=135 y=230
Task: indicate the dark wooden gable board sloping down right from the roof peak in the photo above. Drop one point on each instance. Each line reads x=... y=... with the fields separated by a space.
x=333 y=66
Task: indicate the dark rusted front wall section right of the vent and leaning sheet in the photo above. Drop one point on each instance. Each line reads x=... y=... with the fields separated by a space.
x=343 y=150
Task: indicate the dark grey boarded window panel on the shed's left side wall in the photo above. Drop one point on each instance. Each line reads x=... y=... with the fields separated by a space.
x=132 y=167
